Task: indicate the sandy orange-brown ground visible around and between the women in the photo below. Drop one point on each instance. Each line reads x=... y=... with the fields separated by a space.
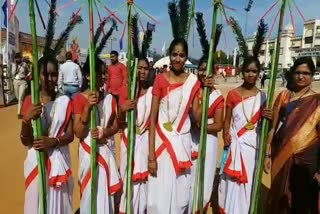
x=13 y=154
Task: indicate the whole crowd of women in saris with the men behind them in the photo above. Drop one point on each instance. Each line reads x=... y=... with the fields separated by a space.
x=168 y=118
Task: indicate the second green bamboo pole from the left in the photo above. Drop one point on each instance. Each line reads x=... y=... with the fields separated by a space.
x=93 y=124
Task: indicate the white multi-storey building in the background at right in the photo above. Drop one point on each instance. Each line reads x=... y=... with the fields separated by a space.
x=293 y=47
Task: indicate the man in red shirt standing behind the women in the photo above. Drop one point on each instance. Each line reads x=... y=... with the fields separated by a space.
x=116 y=75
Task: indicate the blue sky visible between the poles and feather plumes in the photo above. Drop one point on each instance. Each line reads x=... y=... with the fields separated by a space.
x=158 y=9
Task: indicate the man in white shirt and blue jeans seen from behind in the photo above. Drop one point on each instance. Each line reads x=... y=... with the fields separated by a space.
x=70 y=77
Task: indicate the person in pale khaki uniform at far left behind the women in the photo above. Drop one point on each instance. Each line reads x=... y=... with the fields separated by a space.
x=19 y=71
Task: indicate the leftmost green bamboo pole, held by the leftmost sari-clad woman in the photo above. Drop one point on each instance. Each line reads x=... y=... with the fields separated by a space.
x=35 y=96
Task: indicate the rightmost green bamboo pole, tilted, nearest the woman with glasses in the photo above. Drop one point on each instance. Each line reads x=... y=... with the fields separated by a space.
x=265 y=124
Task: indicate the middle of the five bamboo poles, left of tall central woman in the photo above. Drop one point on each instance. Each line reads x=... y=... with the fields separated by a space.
x=131 y=114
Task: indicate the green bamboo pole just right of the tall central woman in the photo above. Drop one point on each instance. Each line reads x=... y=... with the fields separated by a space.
x=199 y=181
